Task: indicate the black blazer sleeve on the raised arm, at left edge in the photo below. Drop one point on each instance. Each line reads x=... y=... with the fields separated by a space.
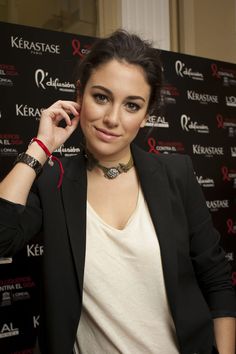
x=18 y=224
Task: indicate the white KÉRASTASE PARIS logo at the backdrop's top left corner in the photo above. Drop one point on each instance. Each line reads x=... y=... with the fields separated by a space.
x=34 y=47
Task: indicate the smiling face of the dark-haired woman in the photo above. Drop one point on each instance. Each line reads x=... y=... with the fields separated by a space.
x=113 y=108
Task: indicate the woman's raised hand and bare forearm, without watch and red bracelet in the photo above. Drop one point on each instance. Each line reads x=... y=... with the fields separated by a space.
x=16 y=185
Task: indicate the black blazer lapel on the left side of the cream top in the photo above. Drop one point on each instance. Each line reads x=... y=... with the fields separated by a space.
x=74 y=196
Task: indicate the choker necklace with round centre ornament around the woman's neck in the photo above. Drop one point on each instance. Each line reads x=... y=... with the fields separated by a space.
x=108 y=172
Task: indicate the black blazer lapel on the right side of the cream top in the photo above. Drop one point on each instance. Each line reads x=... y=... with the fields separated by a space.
x=154 y=183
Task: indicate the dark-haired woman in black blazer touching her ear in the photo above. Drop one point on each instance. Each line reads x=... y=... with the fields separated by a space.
x=152 y=278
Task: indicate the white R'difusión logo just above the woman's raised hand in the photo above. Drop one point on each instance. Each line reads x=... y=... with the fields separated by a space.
x=44 y=81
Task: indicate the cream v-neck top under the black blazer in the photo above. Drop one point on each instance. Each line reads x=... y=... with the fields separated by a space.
x=125 y=308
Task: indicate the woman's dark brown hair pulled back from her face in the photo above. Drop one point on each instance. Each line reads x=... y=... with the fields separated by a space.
x=124 y=46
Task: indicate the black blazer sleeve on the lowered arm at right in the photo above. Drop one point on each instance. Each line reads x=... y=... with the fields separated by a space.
x=210 y=264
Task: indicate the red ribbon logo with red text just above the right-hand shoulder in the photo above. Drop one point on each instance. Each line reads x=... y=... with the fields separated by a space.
x=165 y=147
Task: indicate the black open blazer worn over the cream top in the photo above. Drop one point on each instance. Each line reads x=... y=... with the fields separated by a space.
x=196 y=272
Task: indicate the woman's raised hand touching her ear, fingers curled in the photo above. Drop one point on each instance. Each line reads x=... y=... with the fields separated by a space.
x=49 y=131
